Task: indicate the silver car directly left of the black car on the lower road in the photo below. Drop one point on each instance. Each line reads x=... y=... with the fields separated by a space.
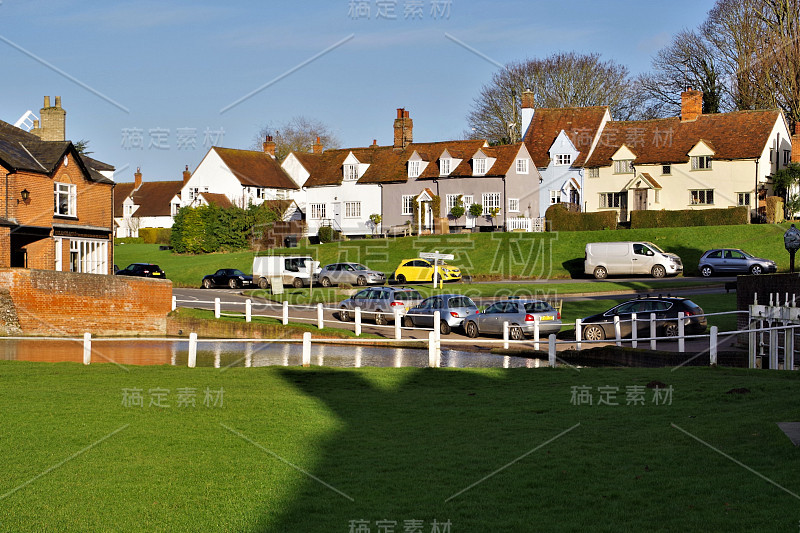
x=520 y=315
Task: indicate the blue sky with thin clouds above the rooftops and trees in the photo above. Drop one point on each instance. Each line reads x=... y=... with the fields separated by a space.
x=129 y=71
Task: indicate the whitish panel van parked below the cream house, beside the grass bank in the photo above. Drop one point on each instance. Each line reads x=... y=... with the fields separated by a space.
x=610 y=258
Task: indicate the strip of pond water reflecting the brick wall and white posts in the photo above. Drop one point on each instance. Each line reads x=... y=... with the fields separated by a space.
x=247 y=354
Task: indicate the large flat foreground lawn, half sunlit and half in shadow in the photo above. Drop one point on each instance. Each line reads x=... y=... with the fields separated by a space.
x=308 y=450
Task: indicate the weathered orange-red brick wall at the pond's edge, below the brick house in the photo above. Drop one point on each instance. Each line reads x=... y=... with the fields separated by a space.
x=66 y=303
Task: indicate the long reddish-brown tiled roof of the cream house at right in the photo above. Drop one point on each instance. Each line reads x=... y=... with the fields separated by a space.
x=735 y=135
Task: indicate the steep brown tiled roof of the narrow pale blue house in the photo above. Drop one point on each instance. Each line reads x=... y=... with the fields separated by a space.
x=579 y=123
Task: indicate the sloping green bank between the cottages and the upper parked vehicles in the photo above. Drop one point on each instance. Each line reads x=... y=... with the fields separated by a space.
x=484 y=255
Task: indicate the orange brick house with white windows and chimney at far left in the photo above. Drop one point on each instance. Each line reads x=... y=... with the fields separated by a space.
x=56 y=209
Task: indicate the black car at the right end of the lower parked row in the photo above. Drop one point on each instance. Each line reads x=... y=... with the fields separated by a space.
x=601 y=326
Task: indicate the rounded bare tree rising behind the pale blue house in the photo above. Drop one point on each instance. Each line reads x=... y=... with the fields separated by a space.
x=561 y=80
